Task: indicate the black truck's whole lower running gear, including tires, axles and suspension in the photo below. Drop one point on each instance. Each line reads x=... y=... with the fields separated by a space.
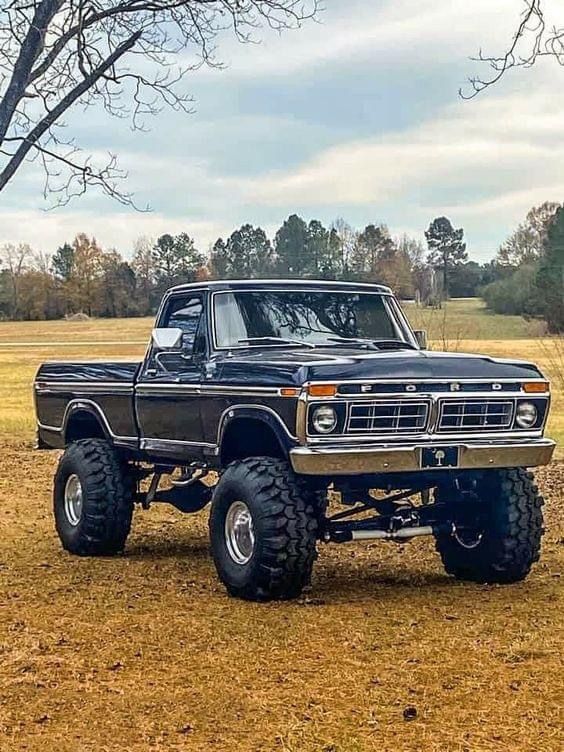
x=266 y=521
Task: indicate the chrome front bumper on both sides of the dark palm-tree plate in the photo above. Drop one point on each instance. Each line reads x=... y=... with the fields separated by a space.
x=401 y=458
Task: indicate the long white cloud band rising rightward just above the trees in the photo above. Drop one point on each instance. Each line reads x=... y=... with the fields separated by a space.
x=508 y=151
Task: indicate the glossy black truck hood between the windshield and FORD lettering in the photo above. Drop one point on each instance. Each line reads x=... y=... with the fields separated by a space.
x=297 y=366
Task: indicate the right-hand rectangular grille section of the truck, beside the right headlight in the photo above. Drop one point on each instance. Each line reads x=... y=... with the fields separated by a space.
x=468 y=415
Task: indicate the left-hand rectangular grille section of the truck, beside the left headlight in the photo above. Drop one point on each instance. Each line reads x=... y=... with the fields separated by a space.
x=388 y=417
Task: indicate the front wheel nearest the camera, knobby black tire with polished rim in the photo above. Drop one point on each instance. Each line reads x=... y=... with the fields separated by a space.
x=262 y=530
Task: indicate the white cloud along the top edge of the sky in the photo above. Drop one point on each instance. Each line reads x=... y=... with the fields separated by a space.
x=378 y=30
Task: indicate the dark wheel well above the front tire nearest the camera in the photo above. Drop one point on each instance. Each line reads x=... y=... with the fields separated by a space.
x=249 y=437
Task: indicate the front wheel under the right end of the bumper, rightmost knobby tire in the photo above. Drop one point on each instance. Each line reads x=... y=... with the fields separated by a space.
x=506 y=539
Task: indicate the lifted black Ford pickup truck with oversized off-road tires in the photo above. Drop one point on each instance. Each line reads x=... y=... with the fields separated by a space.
x=277 y=400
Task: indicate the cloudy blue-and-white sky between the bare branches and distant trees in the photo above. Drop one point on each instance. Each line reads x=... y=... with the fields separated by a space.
x=355 y=116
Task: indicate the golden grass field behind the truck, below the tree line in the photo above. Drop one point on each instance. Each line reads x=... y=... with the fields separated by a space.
x=463 y=325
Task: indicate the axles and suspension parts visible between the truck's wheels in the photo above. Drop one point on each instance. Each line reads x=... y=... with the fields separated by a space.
x=397 y=514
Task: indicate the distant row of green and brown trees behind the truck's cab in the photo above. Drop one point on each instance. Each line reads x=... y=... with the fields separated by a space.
x=82 y=277
